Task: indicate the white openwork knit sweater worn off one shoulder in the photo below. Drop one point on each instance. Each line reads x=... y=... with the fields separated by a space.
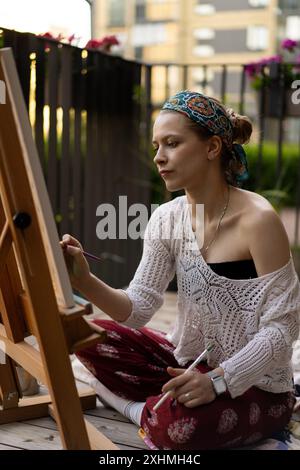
x=251 y=323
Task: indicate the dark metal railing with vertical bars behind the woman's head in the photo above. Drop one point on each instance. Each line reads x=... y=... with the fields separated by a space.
x=275 y=118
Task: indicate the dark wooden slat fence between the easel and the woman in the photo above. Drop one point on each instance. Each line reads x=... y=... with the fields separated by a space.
x=86 y=119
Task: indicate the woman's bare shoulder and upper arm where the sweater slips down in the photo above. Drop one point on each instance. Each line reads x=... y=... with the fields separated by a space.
x=264 y=232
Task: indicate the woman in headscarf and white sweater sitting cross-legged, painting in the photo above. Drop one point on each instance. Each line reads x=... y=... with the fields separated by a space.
x=237 y=291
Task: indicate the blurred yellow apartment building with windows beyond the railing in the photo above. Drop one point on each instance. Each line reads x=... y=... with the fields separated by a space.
x=198 y=32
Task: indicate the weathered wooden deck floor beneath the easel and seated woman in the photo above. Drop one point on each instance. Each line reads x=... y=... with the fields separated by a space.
x=42 y=434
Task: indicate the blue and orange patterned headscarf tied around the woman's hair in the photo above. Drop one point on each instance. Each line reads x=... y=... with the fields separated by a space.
x=211 y=115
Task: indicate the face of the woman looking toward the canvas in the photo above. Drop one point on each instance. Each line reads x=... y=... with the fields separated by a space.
x=181 y=155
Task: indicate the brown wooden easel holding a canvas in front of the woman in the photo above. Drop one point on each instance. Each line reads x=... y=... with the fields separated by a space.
x=35 y=293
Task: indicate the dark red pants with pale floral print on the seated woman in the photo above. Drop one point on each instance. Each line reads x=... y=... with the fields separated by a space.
x=132 y=364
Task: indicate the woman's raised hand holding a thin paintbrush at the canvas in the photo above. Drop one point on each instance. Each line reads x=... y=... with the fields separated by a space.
x=78 y=267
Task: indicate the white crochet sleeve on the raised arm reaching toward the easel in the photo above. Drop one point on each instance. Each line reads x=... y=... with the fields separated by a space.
x=155 y=271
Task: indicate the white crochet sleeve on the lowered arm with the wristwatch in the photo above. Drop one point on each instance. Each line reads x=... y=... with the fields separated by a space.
x=271 y=346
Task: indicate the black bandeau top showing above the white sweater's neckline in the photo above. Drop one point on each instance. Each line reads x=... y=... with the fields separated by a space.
x=241 y=269
